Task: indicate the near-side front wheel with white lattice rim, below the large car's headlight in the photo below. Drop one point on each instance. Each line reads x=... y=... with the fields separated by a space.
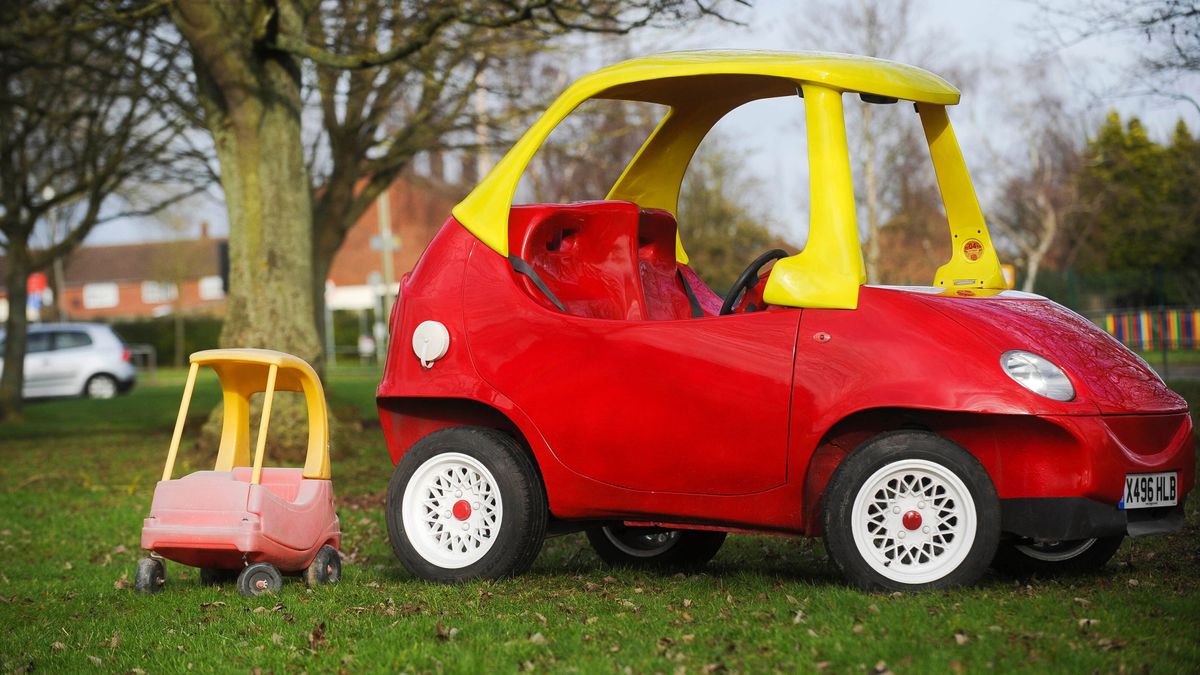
x=911 y=511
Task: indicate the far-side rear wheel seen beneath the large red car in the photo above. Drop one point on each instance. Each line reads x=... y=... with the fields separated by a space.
x=655 y=547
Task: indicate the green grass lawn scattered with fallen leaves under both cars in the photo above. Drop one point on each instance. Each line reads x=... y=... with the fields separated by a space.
x=79 y=476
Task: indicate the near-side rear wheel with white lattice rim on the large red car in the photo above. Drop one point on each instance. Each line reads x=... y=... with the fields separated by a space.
x=466 y=504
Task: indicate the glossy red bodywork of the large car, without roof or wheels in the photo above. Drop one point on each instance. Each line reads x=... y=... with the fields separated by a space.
x=639 y=414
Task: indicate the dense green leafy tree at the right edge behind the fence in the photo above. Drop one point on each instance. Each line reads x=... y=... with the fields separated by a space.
x=1145 y=225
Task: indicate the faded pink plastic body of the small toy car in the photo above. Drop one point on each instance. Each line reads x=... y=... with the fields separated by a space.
x=218 y=519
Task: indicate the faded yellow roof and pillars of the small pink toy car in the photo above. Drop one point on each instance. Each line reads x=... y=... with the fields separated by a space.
x=243 y=374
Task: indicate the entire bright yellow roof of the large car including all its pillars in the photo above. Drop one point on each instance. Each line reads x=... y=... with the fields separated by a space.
x=700 y=88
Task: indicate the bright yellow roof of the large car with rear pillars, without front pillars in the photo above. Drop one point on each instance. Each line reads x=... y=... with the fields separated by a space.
x=700 y=88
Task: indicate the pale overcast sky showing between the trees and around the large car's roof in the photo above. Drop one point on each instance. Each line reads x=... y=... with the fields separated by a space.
x=995 y=40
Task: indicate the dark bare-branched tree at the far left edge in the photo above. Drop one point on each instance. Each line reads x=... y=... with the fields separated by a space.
x=92 y=107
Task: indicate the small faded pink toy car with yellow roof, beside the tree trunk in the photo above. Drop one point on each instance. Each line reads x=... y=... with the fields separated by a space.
x=242 y=519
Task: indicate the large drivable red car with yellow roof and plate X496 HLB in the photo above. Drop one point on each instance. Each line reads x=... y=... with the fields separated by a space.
x=569 y=371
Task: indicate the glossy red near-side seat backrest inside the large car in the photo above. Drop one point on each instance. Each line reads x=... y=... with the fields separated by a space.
x=586 y=254
